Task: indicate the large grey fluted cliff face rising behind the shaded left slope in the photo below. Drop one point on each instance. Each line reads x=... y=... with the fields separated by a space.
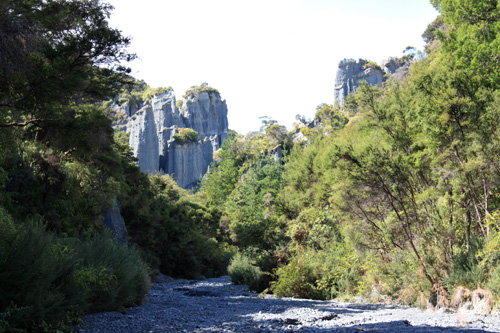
x=152 y=129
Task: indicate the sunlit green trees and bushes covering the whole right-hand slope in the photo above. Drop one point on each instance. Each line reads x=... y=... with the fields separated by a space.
x=397 y=190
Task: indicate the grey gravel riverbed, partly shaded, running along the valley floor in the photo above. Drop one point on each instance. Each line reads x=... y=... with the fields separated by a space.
x=216 y=305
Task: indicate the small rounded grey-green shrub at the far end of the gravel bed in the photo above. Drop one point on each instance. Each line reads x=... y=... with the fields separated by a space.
x=242 y=271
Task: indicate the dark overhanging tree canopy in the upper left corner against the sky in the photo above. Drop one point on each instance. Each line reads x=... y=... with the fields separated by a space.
x=56 y=53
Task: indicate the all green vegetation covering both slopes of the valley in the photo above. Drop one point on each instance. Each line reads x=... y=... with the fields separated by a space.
x=397 y=190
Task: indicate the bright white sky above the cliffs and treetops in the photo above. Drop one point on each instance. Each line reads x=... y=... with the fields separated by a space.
x=274 y=58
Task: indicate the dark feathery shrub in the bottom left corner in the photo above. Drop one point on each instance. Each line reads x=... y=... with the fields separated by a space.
x=36 y=280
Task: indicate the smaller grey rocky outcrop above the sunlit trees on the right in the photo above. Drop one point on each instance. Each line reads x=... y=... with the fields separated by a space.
x=351 y=73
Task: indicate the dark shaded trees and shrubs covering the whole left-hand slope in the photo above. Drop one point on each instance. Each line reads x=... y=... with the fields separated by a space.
x=62 y=167
